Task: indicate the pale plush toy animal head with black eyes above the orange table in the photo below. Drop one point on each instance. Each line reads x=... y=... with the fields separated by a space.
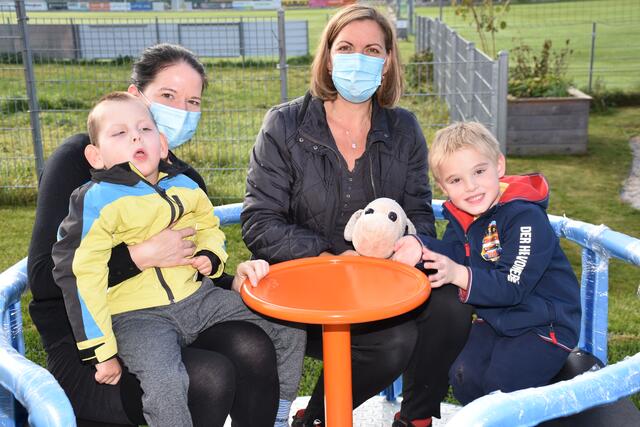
x=375 y=229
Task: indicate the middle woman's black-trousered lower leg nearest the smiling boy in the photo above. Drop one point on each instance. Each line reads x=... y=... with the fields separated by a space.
x=443 y=326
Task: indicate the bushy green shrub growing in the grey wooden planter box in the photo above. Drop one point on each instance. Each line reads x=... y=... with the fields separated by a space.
x=539 y=75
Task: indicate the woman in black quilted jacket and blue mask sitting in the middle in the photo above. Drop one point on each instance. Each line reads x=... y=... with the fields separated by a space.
x=320 y=158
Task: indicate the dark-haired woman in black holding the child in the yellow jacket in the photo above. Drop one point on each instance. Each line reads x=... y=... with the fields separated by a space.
x=231 y=366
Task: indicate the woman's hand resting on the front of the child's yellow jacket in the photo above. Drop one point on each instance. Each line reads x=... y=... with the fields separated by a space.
x=168 y=248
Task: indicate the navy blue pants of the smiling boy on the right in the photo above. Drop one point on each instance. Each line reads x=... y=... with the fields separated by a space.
x=490 y=362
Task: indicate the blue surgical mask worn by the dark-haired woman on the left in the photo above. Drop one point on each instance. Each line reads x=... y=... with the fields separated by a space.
x=177 y=125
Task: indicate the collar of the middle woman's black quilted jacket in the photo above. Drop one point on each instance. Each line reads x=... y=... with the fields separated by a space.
x=315 y=123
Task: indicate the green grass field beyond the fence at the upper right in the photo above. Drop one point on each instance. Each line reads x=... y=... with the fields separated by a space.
x=617 y=53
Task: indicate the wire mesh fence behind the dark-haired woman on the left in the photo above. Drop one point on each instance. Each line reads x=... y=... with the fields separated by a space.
x=69 y=74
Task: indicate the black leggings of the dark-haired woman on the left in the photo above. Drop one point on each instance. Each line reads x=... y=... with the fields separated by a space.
x=232 y=370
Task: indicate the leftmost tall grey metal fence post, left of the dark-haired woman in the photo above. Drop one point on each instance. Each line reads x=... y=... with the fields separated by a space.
x=34 y=106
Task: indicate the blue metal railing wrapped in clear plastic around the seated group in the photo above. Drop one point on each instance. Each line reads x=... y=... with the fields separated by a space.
x=46 y=404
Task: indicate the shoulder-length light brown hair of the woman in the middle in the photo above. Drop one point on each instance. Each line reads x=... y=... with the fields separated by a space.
x=321 y=84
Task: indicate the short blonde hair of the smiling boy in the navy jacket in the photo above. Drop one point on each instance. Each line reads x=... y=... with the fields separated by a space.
x=458 y=136
